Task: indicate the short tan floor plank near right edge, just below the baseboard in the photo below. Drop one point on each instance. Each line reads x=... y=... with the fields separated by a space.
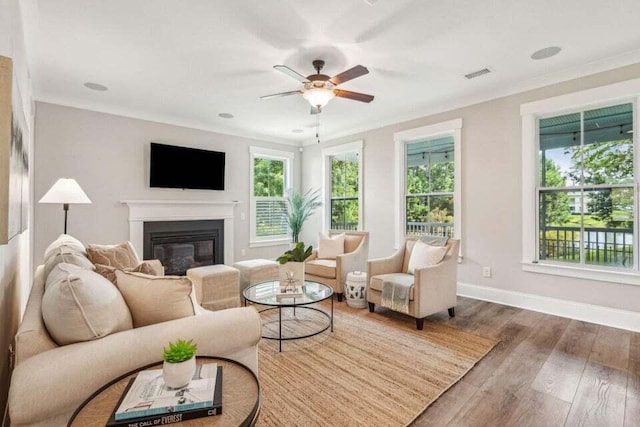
x=611 y=348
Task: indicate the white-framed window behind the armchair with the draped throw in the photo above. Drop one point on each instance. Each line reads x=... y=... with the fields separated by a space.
x=428 y=181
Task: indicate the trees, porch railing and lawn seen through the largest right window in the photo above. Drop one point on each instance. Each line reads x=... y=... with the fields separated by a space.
x=586 y=187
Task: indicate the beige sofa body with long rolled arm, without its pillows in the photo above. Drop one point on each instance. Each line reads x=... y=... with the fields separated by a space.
x=50 y=381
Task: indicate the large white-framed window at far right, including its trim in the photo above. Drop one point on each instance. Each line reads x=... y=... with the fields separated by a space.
x=579 y=177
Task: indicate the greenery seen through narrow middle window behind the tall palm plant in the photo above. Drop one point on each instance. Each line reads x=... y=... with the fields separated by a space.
x=344 y=191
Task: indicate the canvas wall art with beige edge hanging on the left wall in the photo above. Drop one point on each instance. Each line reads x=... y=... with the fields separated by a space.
x=14 y=156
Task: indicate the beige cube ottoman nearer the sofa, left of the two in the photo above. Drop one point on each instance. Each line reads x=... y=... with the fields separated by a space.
x=217 y=286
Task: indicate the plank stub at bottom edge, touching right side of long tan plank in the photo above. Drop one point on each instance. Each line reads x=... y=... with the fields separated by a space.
x=539 y=409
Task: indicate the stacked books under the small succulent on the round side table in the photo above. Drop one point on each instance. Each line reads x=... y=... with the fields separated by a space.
x=147 y=401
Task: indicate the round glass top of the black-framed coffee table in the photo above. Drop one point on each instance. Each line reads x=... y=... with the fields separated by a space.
x=265 y=293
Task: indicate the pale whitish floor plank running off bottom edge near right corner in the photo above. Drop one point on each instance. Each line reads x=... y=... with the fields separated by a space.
x=600 y=399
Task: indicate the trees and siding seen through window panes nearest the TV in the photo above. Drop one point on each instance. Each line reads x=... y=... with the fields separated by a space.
x=269 y=183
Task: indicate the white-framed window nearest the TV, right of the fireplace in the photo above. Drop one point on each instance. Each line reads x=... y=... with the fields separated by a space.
x=270 y=179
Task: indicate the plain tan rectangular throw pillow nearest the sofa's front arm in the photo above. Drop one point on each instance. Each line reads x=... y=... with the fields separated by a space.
x=153 y=299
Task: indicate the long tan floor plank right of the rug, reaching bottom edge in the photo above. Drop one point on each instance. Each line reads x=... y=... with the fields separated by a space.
x=498 y=398
